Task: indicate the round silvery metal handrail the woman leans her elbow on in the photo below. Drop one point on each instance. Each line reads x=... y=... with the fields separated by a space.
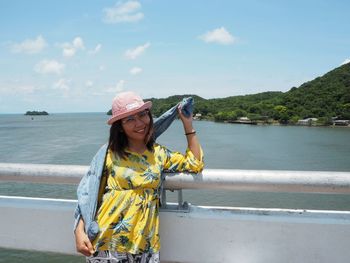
x=218 y=179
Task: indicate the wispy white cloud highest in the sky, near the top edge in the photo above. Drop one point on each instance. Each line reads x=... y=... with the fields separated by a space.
x=123 y=13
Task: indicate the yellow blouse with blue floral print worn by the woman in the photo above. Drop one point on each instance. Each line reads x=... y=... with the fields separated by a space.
x=128 y=215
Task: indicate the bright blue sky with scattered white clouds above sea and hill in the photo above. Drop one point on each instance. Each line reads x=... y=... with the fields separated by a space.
x=75 y=56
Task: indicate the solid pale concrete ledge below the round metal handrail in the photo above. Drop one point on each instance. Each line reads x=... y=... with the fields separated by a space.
x=205 y=234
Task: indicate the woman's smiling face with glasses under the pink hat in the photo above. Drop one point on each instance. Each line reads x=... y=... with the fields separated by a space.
x=137 y=126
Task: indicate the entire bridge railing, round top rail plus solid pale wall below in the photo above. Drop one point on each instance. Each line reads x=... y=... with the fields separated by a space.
x=204 y=234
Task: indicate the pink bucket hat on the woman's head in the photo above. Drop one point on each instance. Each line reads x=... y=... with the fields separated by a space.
x=125 y=104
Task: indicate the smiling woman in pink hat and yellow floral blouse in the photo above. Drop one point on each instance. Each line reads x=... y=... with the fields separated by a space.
x=124 y=225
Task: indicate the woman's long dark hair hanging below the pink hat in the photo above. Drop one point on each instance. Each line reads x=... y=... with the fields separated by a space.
x=118 y=140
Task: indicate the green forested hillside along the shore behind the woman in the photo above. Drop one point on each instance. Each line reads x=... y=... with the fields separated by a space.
x=322 y=98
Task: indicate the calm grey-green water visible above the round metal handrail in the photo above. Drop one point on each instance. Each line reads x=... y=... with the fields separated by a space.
x=74 y=139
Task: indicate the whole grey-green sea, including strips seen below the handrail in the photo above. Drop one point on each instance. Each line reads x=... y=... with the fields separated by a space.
x=74 y=138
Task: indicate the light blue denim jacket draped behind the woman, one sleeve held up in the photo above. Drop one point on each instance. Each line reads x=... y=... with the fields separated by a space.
x=88 y=189
